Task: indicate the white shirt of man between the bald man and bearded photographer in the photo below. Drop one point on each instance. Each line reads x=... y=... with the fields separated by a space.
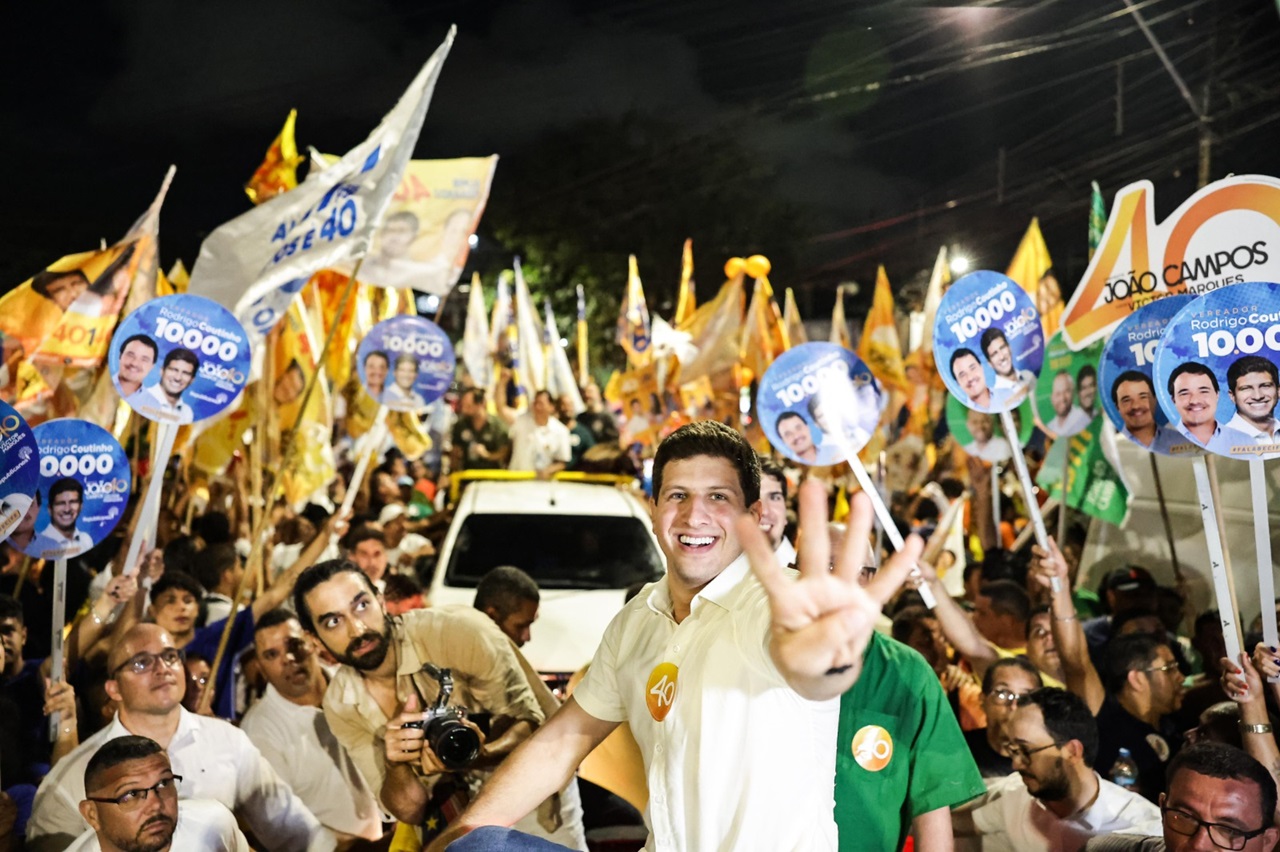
x=298 y=743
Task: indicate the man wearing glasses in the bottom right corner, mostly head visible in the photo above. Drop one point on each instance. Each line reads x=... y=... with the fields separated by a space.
x=1219 y=799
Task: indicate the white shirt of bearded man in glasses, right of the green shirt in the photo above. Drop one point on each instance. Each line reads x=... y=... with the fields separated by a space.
x=1011 y=819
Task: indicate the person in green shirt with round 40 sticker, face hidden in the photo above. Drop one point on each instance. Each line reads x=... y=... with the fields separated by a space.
x=902 y=762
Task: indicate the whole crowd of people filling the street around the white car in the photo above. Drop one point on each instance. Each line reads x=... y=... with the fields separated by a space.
x=784 y=684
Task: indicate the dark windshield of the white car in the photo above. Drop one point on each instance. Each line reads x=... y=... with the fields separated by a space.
x=557 y=551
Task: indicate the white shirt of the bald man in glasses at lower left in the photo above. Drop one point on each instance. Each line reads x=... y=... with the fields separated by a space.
x=216 y=761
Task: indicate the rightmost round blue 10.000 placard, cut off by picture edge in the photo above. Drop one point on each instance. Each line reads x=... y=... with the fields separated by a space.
x=1217 y=370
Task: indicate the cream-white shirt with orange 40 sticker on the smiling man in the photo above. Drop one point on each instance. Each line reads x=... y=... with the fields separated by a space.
x=740 y=761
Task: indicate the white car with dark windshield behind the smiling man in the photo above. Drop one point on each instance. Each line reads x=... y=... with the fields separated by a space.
x=583 y=544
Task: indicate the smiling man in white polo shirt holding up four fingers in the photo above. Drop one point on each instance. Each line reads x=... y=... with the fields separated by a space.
x=729 y=681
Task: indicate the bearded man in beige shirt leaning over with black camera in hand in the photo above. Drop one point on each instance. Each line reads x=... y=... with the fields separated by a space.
x=391 y=680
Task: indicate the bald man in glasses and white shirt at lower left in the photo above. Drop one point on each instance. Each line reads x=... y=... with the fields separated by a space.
x=218 y=762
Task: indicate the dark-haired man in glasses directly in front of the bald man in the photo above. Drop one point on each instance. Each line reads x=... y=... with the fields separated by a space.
x=132 y=804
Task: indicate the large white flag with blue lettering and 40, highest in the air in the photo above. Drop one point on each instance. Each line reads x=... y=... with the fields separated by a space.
x=257 y=263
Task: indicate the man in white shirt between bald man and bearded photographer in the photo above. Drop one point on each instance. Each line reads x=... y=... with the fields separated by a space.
x=289 y=727
